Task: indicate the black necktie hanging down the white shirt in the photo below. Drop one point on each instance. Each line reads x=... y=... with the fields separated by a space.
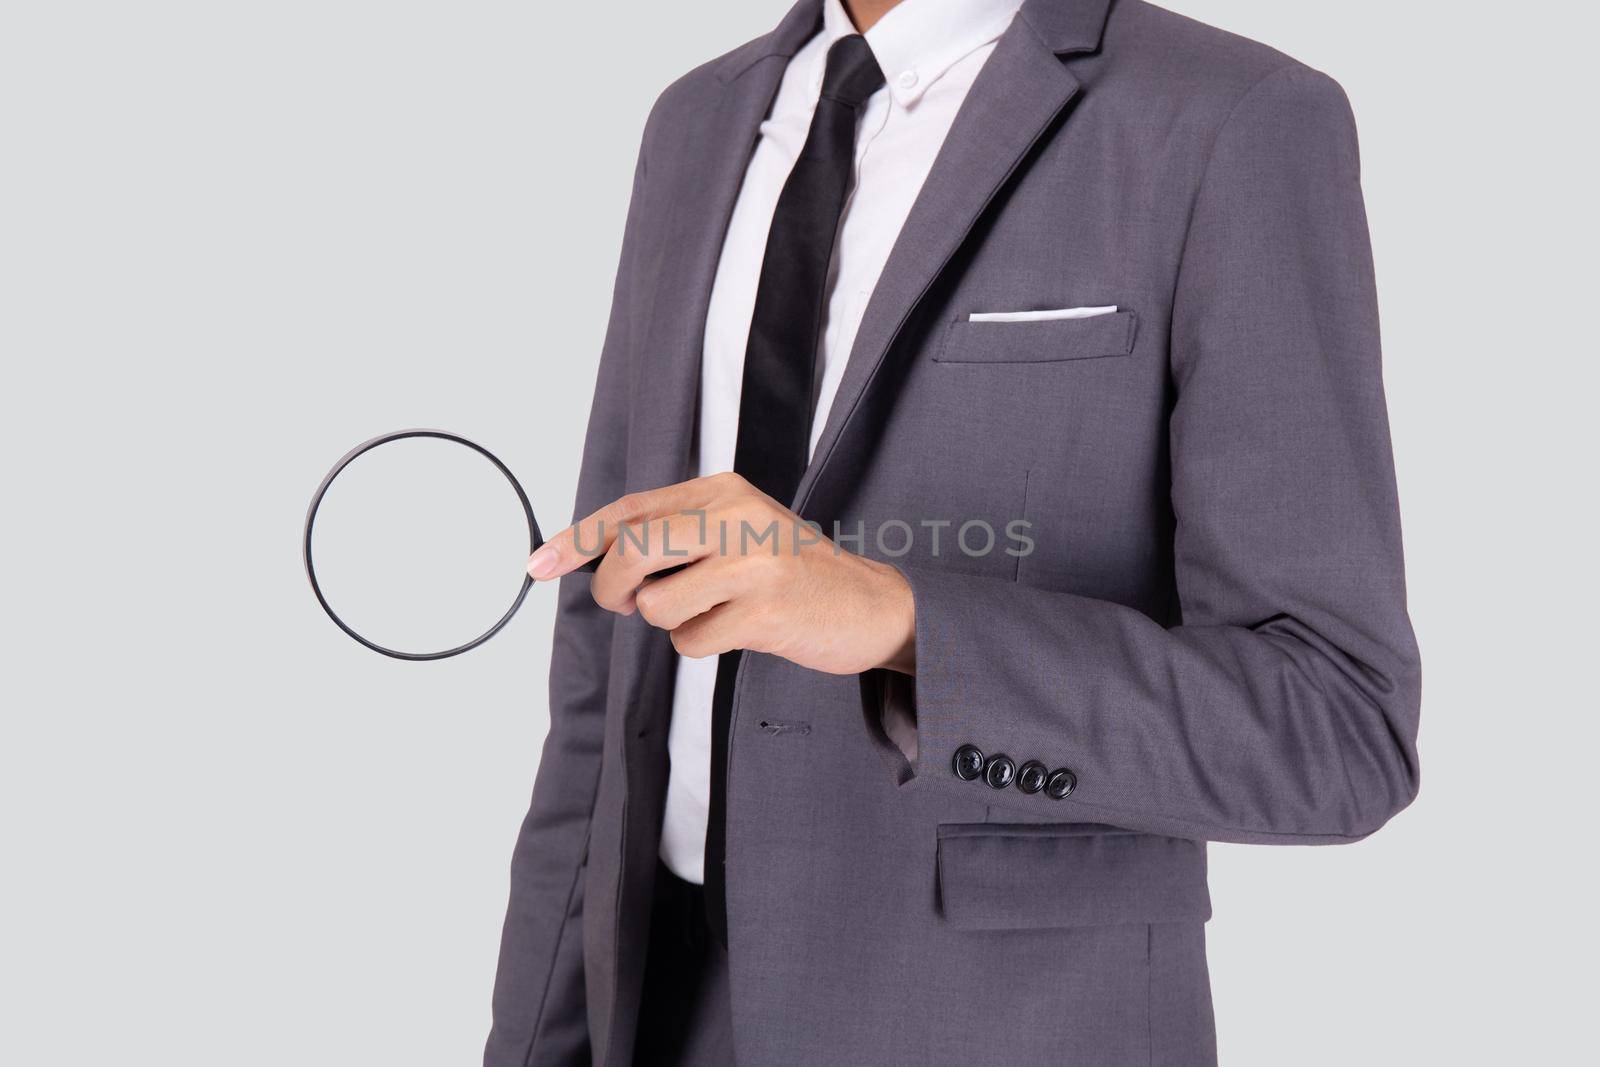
x=780 y=364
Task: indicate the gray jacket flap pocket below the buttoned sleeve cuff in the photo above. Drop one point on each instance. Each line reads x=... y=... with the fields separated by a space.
x=1028 y=877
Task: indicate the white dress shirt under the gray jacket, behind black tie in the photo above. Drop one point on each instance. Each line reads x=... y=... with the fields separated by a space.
x=930 y=54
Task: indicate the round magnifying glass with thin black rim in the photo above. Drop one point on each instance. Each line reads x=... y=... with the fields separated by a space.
x=422 y=545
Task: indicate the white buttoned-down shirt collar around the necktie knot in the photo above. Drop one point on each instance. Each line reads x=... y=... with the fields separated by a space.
x=921 y=39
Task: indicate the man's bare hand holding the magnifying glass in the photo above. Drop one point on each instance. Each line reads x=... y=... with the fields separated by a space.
x=753 y=577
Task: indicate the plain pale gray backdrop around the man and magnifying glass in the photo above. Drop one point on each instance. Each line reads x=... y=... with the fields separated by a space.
x=239 y=238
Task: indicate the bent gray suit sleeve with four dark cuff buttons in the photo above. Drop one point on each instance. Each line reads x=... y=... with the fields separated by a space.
x=1284 y=705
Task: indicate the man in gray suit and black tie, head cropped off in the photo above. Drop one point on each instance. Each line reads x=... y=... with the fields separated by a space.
x=1036 y=345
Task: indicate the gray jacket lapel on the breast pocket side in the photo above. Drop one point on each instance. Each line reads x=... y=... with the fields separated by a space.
x=1015 y=100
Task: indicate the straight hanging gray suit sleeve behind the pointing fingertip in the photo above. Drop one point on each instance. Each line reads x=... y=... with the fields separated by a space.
x=540 y=1010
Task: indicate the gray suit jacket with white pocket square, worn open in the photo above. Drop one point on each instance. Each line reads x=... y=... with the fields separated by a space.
x=1210 y=633
